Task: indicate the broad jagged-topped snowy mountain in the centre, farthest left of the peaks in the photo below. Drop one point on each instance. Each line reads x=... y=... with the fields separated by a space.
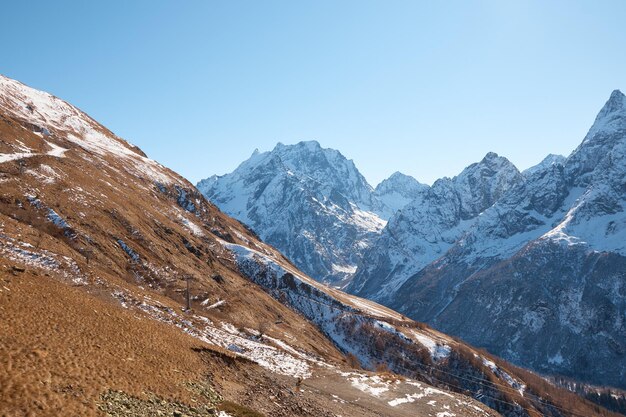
x=311 y=203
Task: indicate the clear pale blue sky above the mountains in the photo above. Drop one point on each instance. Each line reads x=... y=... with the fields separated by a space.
x=423 y=87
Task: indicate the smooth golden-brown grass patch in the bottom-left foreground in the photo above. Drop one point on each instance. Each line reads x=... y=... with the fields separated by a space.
x=61 y=347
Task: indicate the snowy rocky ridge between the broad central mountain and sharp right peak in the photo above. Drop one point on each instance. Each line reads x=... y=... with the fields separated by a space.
x=430 y=224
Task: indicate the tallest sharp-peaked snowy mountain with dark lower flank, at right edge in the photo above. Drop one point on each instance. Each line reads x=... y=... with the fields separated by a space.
x=537 y=276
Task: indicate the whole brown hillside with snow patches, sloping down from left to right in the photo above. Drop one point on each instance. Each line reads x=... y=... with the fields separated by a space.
x=97 y=245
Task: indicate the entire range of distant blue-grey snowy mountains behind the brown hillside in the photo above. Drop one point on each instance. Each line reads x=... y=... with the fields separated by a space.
x=529 y=265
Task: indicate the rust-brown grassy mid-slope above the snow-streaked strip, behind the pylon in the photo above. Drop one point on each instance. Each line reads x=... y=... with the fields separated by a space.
x=103 y=202
